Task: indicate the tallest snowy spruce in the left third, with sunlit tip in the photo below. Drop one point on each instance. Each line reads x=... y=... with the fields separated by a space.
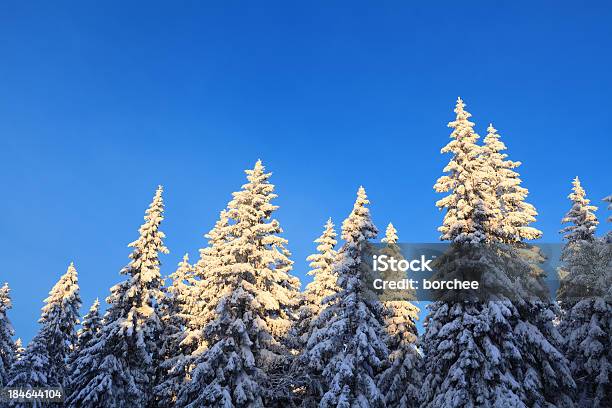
x=117 y=368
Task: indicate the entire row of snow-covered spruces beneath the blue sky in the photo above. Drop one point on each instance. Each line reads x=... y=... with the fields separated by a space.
x=232 y=329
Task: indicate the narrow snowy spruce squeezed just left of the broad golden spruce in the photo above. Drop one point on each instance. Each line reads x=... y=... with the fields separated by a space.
x=174 y=314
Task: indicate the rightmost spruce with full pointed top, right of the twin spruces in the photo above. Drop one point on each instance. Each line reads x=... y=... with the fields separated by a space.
x=586 y=301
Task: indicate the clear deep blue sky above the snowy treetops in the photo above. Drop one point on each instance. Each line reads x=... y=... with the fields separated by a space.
x=99 y=103
